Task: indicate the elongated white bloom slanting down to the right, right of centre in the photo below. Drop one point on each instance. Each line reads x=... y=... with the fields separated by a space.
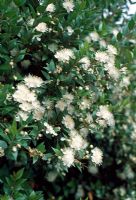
x=105 y=114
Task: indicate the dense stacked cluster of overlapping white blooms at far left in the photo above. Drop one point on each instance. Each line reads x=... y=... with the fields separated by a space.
x=27 y=98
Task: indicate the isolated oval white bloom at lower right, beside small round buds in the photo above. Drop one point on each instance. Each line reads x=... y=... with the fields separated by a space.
x=97 y=156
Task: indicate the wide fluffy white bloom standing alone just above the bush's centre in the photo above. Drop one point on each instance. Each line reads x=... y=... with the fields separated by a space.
x=64 y=55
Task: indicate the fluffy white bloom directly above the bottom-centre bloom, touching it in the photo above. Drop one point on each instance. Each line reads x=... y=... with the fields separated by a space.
x=77 y=142
